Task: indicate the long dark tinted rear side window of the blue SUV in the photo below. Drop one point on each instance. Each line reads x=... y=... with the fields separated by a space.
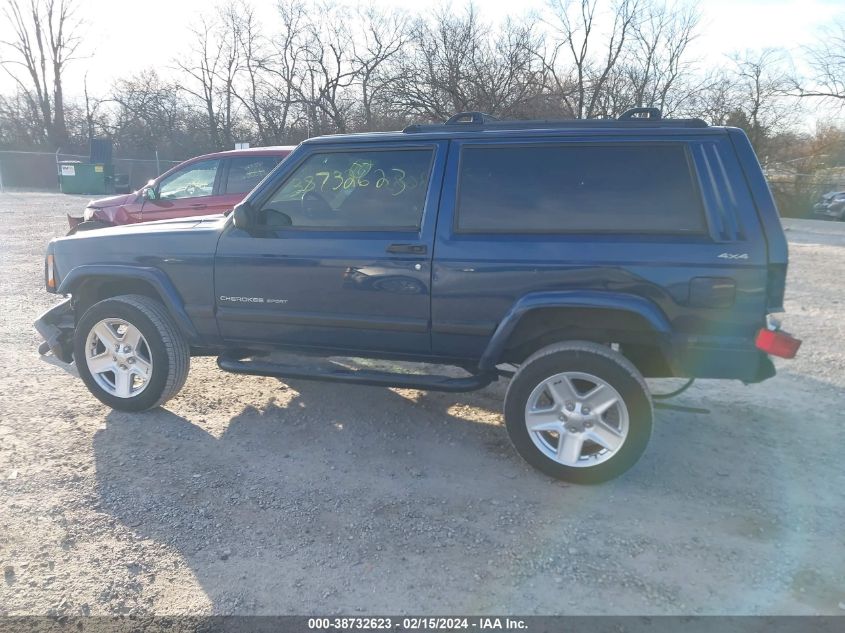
x=571 y=188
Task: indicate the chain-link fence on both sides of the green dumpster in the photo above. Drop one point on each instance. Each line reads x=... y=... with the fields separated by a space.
x=39 y=170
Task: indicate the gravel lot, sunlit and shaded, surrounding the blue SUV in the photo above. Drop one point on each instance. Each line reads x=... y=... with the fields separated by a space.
x=246 y=495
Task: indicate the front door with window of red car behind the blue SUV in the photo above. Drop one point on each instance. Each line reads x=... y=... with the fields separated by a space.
x=188 y=191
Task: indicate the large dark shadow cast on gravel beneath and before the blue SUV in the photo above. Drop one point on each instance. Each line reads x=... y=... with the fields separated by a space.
x=345 y=497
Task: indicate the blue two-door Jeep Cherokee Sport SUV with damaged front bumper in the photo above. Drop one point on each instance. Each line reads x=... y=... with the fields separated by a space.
x=574 y=258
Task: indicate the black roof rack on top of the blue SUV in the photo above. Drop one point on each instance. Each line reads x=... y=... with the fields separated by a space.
x=480 y=121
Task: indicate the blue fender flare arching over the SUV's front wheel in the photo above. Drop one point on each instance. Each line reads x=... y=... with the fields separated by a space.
x=153 y=276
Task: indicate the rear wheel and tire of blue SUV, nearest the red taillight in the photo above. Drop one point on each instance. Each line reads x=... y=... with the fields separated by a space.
x=579 y=411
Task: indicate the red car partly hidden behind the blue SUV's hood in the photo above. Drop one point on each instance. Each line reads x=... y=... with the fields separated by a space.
x=205 y=185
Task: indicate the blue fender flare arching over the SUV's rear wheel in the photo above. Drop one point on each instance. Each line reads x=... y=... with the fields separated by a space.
x=620 y=301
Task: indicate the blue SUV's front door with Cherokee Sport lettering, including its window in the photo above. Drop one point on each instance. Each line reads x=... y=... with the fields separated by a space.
x=343 y=257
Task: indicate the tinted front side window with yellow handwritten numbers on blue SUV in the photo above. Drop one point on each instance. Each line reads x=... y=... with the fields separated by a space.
x=368 y=189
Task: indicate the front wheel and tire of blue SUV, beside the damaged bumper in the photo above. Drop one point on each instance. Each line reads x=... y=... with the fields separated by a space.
x=130 y=354
